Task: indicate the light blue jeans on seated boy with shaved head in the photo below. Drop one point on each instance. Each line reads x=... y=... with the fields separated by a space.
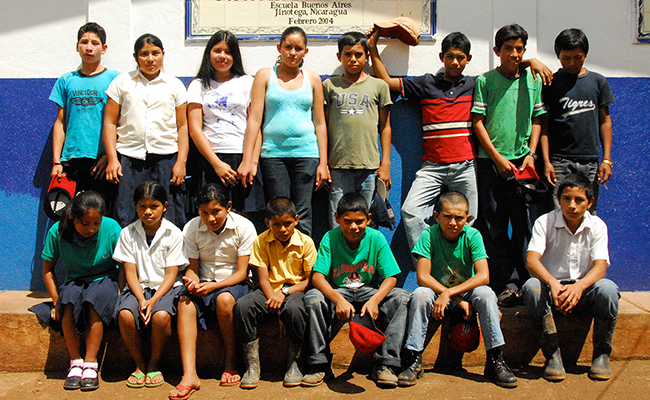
x=482 y=299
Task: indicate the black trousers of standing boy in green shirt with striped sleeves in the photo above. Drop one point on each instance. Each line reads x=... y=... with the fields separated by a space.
x=499 y=207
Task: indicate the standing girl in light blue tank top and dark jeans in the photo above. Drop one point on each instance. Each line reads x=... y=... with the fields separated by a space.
x=287 y=103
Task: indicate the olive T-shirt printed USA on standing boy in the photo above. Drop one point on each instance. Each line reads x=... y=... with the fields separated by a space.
x=353 y=121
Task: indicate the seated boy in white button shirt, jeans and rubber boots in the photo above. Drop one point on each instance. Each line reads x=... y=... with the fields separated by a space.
x=568 y=258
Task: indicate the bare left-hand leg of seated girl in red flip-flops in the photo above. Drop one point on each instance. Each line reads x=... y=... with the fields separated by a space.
x=187 y=333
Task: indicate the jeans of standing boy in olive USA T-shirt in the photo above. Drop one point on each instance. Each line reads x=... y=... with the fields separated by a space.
x=350 y=180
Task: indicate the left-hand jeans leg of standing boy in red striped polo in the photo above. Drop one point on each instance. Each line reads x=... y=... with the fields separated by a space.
x=418 y=206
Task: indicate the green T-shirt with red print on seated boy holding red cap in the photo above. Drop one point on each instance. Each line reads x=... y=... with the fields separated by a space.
x=368 y=265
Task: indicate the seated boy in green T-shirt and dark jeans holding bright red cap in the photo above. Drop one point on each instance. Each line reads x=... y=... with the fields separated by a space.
x=355 y=272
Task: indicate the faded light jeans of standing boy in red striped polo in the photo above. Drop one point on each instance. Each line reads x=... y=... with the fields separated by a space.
x=430 y=181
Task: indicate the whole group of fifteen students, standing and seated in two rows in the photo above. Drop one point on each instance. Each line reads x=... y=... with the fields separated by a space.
x=306 y=135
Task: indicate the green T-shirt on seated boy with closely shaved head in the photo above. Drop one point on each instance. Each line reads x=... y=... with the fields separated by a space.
x=451 y=263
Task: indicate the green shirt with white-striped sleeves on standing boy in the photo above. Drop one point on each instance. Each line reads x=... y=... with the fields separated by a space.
x=508 y=106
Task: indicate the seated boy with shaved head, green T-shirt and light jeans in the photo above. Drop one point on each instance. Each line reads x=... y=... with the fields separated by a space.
x=453 y=272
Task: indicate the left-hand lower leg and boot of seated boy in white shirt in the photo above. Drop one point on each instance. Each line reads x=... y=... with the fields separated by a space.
x=537 y=297
